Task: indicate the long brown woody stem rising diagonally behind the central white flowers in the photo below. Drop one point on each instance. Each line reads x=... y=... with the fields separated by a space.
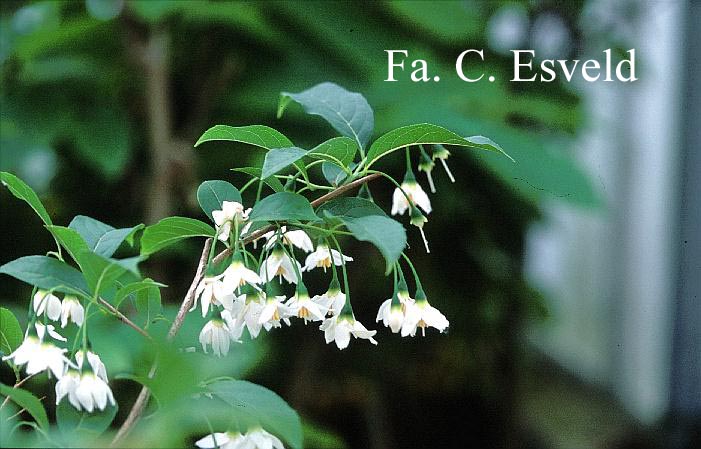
x=142 y=400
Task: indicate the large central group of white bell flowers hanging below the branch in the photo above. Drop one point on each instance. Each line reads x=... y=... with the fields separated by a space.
x=243 y=294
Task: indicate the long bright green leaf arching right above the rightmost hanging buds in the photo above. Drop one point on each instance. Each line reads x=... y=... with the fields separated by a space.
x=422 y=134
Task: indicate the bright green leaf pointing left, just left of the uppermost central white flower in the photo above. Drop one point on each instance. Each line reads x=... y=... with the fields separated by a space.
x=171 y=230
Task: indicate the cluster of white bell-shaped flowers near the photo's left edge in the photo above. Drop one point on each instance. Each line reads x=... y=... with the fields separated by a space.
x=84 y=379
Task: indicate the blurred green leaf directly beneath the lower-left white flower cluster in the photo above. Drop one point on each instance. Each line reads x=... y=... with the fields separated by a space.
x=82 y=425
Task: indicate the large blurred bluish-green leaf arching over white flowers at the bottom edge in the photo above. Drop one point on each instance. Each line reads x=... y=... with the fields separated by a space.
x=253 y=405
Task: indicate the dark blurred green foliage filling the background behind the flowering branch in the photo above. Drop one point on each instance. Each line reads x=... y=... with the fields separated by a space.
x=102 y=100
